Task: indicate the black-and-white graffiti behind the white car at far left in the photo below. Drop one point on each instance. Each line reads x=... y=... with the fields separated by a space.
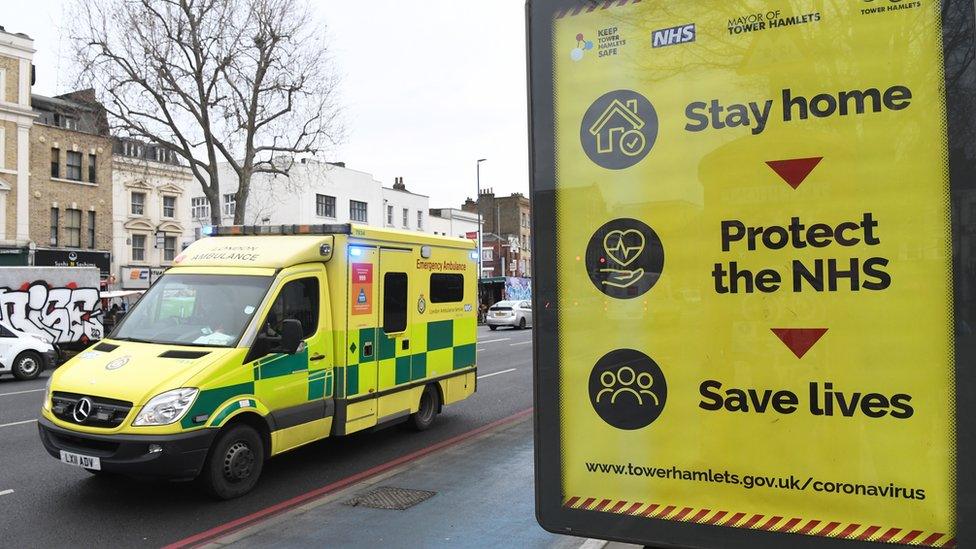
x=59 y=315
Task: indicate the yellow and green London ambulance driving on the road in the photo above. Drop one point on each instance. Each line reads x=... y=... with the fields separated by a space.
x=261 y=339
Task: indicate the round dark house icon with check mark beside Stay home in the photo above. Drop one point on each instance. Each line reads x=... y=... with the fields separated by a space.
x=619 y=129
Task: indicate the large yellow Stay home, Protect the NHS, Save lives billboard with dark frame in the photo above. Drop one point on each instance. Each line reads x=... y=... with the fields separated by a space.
x=748 y=321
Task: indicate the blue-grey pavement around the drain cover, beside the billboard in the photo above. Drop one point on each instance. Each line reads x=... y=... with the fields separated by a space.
x=484 y=497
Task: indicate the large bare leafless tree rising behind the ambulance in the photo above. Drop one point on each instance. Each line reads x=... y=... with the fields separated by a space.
x=241 y=82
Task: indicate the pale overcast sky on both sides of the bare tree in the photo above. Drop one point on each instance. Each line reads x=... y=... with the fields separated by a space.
x=428 y=88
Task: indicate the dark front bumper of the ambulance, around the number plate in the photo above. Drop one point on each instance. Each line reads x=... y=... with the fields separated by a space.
x=179 y=457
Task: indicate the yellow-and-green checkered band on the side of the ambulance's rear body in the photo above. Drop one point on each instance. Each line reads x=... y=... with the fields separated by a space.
x=435 y=348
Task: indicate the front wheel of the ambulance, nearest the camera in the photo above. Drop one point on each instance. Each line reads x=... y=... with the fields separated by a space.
x=234 y=463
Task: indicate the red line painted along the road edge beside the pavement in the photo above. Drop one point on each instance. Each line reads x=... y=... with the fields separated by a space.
x=278 y=508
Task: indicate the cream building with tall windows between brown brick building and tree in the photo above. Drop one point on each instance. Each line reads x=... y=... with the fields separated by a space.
x=151 y=211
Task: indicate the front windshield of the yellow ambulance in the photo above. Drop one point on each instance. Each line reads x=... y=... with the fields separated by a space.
x=196 y=310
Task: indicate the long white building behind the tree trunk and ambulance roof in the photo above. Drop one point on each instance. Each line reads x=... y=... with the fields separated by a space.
x=316 y=193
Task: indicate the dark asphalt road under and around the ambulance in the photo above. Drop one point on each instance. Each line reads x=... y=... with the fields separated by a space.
x=49 y=504
